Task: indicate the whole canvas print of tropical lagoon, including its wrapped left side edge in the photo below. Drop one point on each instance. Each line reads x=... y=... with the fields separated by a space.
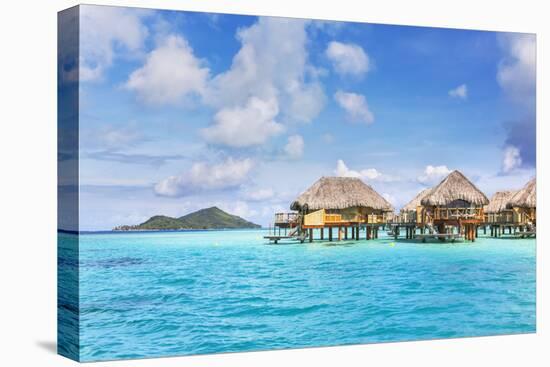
x=233 y=183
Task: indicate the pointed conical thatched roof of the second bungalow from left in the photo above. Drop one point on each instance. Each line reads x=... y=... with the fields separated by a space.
x=455 y=187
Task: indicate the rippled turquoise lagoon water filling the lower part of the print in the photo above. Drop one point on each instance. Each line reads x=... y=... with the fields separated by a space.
x=180 y=293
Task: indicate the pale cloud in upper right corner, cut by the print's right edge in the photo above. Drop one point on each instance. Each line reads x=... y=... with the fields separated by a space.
x=517 y=70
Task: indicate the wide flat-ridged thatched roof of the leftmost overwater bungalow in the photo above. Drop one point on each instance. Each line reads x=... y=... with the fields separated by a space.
x=340 y=193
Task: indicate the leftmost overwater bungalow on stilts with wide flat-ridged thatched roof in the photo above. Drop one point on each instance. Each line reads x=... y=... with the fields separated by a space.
x=344 y=204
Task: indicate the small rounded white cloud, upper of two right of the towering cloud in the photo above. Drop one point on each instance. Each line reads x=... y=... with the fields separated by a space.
x=348 y=58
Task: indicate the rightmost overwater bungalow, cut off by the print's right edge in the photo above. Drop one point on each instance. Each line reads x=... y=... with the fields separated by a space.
x=524 y=205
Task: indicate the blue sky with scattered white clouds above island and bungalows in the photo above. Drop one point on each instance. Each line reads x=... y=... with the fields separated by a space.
x=181 y=110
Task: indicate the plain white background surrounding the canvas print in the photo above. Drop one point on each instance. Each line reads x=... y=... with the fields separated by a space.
x=28 y=183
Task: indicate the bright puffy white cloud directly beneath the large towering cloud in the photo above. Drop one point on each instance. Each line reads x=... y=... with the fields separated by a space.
x=245 y=126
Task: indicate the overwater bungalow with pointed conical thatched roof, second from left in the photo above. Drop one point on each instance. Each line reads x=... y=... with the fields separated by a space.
x=455 y=203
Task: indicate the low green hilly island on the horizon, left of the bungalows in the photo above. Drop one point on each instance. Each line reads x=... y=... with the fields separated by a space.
x=209 y=218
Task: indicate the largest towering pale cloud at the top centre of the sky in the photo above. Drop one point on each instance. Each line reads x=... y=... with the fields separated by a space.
x=271 y=65
